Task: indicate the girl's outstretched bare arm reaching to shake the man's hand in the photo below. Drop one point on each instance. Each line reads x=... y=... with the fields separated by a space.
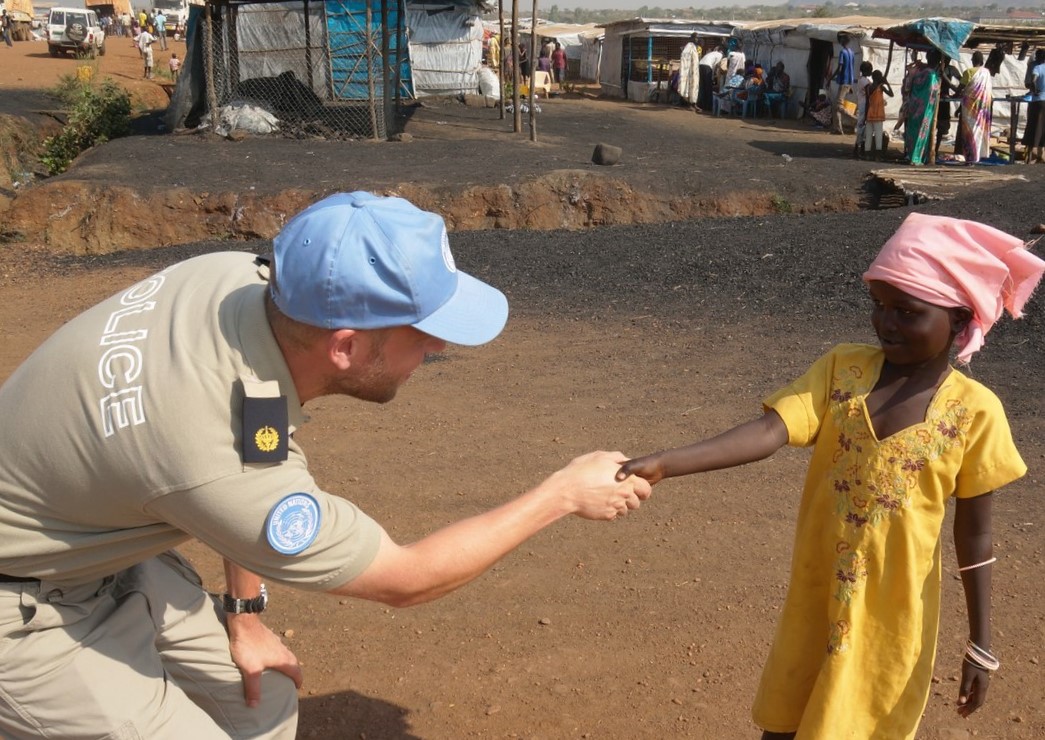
x=754 y=441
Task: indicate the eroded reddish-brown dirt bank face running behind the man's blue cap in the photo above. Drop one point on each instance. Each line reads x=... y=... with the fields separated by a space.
x=88 y=218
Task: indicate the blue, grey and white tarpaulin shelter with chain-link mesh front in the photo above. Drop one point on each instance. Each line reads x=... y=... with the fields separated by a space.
x=326 y=67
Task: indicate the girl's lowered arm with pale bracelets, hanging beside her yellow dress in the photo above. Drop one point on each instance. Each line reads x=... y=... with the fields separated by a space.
x=973 y=546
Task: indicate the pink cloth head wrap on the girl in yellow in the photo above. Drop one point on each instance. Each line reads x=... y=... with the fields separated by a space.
x=953 y=263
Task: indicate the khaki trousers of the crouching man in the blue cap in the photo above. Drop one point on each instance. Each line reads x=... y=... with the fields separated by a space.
x=142 y=655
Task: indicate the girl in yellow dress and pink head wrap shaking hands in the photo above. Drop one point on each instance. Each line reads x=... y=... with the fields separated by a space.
x=896 y=433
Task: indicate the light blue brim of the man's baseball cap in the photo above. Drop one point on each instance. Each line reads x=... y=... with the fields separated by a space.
x=474 y=315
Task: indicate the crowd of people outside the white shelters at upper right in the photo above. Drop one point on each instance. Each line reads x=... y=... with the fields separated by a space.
x=724 y=81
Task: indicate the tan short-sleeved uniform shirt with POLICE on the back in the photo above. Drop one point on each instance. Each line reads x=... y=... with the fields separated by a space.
x=122 y=440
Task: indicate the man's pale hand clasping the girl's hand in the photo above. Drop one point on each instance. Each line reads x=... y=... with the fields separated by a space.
x=595 y=493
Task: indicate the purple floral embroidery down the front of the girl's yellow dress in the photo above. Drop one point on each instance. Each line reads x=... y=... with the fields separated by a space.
x=870 y=488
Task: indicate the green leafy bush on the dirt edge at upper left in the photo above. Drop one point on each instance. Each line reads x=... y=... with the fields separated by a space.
x=98 y=113
